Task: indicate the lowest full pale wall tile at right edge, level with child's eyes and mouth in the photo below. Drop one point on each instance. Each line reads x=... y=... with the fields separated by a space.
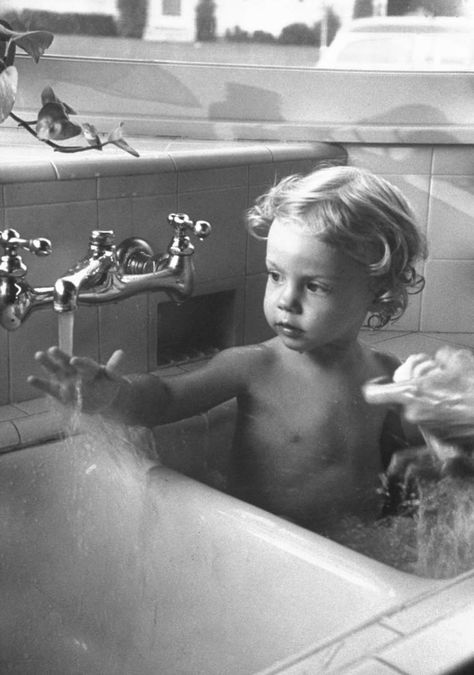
x=448 y=297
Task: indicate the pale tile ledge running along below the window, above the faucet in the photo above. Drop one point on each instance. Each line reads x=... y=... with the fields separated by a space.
x=25 y=161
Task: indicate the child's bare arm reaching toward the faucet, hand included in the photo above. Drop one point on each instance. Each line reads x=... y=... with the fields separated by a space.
x=147 y=400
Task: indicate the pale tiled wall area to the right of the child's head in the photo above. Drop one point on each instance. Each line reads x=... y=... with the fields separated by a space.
x=439 y=182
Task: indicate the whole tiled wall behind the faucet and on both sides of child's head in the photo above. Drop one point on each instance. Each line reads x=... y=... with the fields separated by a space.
x=439 y=181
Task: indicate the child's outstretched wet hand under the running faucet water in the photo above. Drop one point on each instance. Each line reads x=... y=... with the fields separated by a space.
x=78 y=381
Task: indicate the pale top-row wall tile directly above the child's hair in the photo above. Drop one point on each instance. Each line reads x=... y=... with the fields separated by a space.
x=393 y=159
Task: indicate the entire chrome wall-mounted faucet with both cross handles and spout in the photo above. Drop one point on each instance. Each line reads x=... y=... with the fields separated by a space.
x=107 y=273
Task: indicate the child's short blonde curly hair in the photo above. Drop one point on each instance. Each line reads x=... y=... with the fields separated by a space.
x=366 y=216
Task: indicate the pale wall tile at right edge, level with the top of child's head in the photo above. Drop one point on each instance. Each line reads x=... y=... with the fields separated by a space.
x=451 y=227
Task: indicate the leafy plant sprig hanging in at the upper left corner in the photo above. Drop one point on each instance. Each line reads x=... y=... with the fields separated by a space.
x=53 y=122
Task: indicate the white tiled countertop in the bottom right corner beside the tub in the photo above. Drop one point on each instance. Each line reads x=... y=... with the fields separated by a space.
x=430 y=635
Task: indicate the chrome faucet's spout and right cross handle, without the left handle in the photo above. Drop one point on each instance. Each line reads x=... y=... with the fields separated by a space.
x=109 y=273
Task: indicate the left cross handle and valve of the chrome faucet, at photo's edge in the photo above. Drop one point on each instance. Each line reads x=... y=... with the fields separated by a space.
x=17 y=298
